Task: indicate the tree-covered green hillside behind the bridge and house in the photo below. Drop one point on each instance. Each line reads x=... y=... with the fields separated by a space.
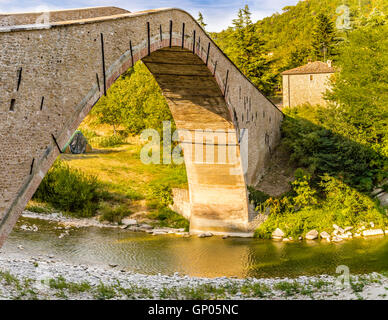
x=288 y=39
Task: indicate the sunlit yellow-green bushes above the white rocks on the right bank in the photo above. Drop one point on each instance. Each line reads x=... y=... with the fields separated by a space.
x=303 y=211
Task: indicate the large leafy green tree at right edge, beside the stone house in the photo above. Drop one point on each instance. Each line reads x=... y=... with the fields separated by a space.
x=359 y=93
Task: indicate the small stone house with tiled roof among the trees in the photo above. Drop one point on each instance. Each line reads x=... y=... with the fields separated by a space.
x=306 y=84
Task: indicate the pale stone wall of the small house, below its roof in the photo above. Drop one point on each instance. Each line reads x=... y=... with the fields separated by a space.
x=304 y=88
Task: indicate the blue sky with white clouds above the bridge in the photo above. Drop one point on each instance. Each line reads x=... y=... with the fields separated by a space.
x=217 y=14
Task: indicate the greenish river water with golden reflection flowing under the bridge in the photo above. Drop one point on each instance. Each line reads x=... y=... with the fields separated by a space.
x=204 y=257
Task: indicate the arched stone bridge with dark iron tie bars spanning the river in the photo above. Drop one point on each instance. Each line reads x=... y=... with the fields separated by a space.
x=55 y=66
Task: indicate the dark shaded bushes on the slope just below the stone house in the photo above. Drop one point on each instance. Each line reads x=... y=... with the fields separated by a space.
x=321 y=150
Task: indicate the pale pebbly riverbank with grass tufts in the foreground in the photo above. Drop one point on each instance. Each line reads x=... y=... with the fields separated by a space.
x=45 y=277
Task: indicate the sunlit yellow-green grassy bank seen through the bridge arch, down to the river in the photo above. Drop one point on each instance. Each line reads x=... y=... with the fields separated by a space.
x=125 y=182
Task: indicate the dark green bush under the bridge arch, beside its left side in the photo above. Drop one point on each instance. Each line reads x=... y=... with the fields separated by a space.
x=69 y=190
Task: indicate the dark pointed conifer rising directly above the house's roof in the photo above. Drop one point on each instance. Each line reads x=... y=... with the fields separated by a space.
x=323 y=38
